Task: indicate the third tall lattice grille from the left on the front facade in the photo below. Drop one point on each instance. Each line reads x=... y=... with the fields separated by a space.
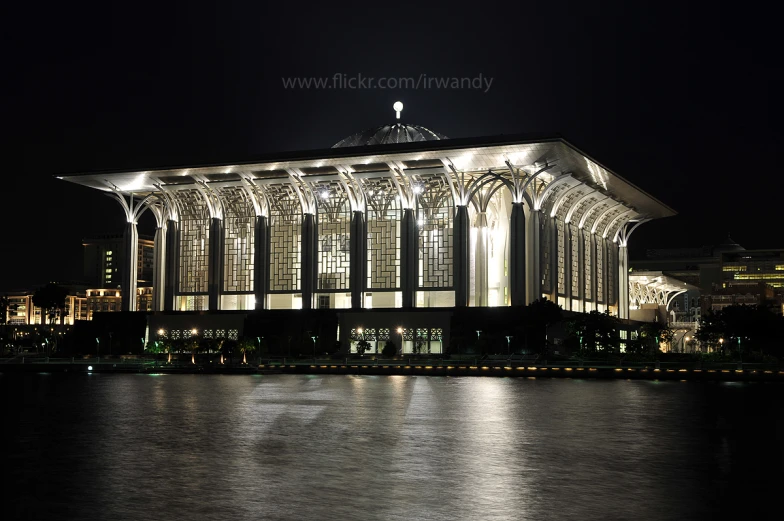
x=285 y=239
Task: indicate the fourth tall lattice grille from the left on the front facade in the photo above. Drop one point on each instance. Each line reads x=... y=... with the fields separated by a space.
x=334 y=232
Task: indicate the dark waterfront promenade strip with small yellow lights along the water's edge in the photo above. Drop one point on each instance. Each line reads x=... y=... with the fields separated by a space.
x=370 y=365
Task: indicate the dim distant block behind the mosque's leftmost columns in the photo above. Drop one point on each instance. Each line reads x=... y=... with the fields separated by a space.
x=105 y=258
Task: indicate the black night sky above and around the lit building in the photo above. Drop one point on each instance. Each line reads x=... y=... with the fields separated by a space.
x=682 y=99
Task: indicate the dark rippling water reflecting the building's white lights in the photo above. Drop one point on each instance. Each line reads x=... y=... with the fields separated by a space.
x=119 y=447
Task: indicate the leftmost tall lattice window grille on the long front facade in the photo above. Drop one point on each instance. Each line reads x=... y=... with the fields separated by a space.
x=194 y=241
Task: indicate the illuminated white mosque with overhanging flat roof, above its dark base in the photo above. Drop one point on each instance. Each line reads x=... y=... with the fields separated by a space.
x=428 y=223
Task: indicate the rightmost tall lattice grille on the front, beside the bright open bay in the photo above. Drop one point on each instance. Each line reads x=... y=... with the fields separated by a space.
x=434 y=221
